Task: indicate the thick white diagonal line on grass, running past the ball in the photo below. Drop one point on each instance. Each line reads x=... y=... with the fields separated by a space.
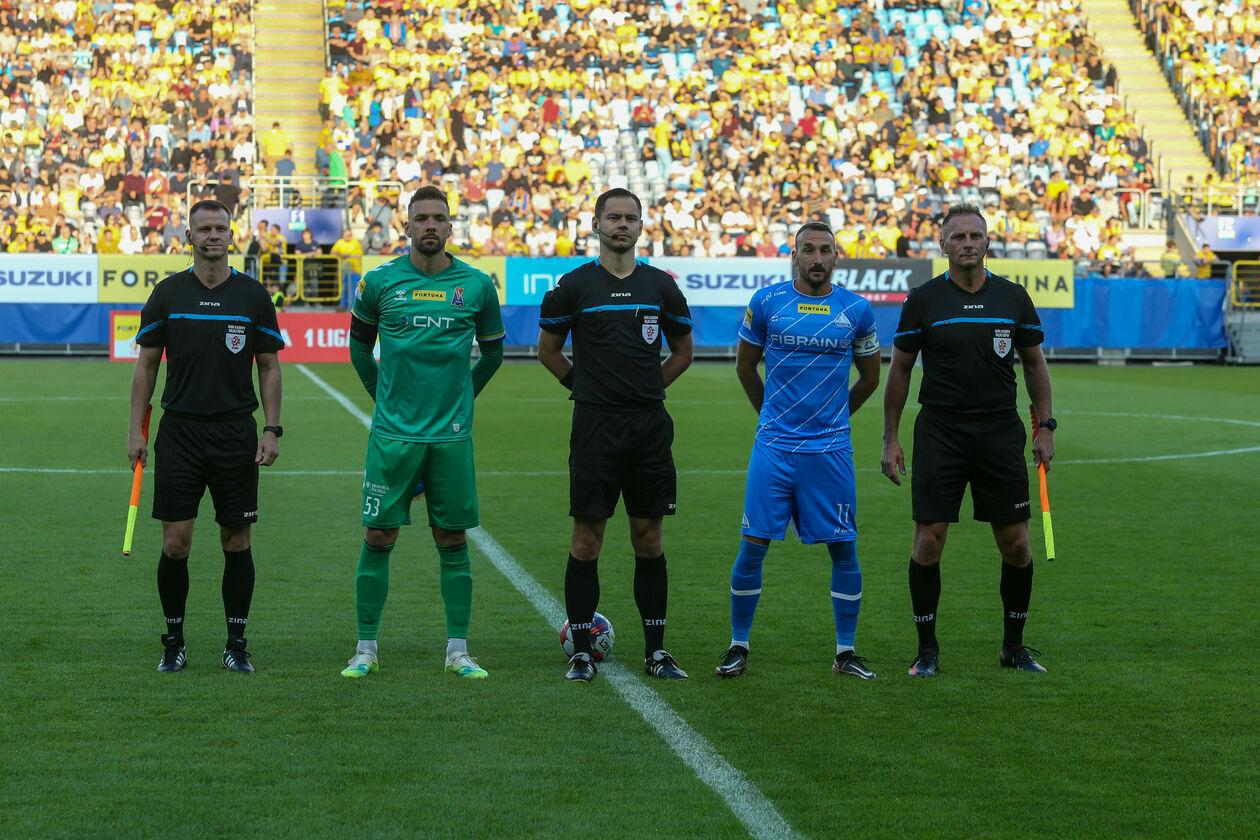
x=750 y=807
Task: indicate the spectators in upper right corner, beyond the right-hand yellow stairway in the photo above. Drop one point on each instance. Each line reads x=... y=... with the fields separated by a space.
x=1211 y=50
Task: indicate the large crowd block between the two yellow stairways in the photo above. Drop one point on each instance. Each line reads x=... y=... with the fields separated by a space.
x=738 y=122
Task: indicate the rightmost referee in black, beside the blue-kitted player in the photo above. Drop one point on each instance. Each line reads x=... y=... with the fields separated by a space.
x=968 y=324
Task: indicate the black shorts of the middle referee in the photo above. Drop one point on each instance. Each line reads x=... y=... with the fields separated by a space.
x=621 y=453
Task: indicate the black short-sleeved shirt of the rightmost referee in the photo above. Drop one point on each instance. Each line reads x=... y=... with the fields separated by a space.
x=967 y=342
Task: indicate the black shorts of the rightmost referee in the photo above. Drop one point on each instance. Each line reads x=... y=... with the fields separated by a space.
x=986 y=451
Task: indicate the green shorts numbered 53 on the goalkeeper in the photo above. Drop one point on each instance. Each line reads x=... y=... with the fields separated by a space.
x=396 y=468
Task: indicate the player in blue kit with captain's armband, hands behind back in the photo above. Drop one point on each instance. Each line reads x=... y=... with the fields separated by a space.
x=811 y=334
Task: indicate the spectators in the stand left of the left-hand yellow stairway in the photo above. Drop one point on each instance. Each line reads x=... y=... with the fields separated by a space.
x=110 y=110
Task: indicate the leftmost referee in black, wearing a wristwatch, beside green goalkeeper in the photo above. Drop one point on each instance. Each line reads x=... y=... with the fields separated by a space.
x=212 y=322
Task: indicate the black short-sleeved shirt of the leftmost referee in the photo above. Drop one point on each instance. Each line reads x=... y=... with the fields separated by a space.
x=211 y=337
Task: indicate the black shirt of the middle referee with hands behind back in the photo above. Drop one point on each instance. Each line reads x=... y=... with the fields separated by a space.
x=617 y=327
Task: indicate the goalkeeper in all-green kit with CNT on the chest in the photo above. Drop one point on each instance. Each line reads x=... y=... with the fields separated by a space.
x=427 y=308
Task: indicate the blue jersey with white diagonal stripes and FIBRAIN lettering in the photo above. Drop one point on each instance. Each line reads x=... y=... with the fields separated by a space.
x=810 y=344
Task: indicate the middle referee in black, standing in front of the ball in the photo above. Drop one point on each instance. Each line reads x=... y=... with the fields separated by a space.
x=618 y=309
